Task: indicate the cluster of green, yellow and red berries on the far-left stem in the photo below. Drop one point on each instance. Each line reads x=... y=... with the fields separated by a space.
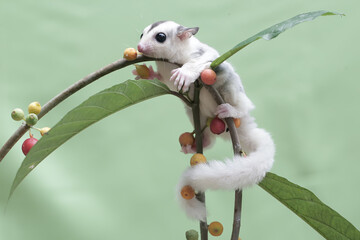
x=31 y=119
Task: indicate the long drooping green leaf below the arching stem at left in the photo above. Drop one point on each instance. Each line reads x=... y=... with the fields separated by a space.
x=91 y=111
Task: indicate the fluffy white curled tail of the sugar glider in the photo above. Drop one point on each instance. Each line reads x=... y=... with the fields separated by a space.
x=231 y=174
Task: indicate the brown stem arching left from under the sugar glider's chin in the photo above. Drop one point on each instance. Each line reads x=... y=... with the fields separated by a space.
x=68 y=92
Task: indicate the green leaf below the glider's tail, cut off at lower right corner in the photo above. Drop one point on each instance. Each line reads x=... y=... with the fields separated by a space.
x=330 y=224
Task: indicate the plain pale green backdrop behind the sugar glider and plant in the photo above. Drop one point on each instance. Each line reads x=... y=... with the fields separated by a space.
x=116 y=180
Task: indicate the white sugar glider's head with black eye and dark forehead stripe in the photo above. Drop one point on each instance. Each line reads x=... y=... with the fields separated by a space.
x=165 y=39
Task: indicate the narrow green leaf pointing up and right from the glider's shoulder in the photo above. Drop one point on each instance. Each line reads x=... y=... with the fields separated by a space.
x=272 y=32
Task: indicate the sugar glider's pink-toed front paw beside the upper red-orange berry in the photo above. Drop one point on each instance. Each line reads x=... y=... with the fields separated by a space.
x=182 y=78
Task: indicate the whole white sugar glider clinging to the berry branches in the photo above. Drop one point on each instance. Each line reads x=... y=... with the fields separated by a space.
x=176 y=43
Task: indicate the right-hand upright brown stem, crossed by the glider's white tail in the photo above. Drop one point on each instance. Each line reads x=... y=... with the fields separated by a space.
x=237 y=151
